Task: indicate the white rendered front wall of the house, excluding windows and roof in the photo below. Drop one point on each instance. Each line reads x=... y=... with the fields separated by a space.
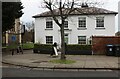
x=40 y=26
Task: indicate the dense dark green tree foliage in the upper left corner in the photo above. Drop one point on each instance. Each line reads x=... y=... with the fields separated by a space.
x=10 y=12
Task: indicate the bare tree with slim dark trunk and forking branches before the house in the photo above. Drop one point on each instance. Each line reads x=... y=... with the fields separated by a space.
x=64 y=9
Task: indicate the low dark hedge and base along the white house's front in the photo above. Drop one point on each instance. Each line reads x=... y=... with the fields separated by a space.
x=70 y=49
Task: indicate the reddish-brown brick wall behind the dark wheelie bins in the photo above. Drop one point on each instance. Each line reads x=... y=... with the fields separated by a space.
x=99 y=43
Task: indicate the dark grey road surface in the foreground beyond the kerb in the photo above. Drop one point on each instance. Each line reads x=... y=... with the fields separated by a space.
x=27 y=72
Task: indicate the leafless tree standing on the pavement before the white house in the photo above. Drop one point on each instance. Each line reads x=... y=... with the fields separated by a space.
x=62 y=8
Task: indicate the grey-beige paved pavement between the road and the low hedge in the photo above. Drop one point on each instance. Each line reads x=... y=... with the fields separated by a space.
x=41 y=61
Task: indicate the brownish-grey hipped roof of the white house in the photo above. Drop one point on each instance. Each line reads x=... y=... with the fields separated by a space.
x=78 y=11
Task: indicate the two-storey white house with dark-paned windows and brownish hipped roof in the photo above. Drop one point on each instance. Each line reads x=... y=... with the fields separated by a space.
x=80 y=25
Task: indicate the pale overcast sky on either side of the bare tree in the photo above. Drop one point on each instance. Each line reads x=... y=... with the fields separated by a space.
x=33 y=7
